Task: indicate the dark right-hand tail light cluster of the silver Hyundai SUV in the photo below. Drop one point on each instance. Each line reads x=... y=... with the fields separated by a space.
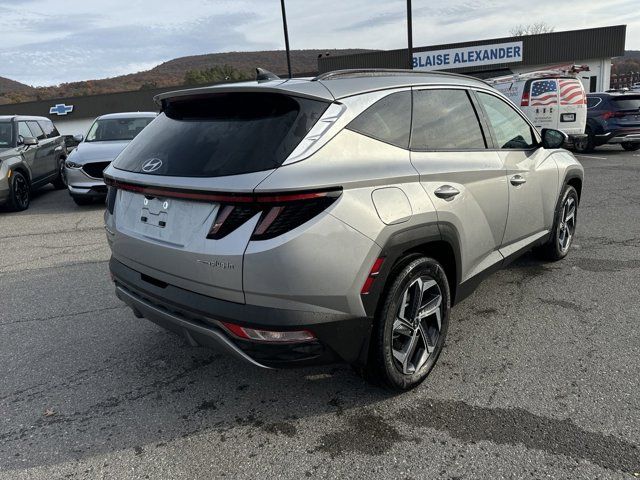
x=279 y=213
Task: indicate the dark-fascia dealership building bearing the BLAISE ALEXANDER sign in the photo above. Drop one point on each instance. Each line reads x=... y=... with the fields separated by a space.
x=593 y=47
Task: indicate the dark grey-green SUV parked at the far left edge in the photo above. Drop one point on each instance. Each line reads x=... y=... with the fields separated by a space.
x=32 y=154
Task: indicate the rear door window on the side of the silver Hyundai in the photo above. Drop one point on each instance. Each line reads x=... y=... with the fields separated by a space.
x=445 y=120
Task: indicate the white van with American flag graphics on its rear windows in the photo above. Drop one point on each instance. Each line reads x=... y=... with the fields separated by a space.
x=550 y=99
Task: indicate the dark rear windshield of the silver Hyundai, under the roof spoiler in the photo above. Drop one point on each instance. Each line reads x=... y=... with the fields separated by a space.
x=223 y=134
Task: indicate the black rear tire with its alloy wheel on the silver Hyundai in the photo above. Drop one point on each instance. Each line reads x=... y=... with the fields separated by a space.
x=383 y=368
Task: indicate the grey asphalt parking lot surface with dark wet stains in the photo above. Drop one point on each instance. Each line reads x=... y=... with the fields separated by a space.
x=539 y=378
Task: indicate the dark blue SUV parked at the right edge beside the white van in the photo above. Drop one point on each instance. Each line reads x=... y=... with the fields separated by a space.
x=613 y=118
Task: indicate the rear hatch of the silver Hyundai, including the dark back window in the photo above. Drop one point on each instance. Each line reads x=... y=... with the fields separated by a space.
x=184 y=209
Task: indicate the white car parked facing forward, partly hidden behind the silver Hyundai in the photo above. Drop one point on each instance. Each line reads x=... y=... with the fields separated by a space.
x=106 y=138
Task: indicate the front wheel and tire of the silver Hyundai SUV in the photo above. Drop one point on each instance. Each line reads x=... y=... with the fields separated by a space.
x=557 y=247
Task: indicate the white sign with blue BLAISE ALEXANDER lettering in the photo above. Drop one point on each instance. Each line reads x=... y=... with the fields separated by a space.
x=468 y=56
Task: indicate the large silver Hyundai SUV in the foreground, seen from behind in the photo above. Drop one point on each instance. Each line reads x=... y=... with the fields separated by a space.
x=338 y=218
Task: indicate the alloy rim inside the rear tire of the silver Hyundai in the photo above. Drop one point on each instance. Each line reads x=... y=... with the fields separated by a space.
x=417 y=325
